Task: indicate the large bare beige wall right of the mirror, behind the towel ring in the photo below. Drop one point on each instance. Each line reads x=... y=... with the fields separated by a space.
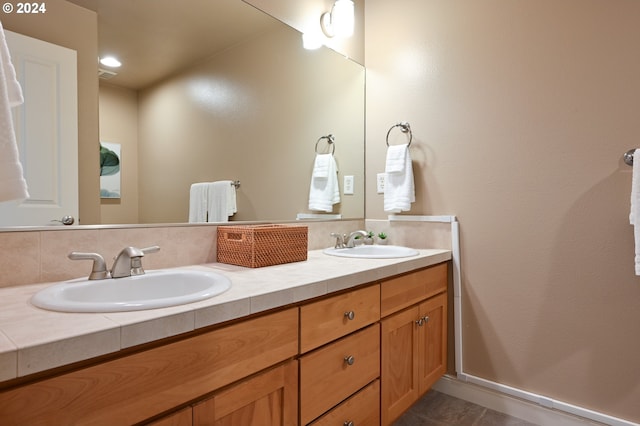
x=521 y=112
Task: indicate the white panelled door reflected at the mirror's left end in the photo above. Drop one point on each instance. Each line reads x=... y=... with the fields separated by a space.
x=46 y=131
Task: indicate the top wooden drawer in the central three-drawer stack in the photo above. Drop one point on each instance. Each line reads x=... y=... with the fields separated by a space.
x=337 y=316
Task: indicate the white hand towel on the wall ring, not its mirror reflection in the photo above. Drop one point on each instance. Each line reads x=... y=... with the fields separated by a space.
x=399 y=189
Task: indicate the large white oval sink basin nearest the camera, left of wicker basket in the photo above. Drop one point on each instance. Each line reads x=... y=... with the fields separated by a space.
x=154 y=289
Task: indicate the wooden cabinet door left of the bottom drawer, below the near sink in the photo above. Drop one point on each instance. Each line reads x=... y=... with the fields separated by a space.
x=268 y=399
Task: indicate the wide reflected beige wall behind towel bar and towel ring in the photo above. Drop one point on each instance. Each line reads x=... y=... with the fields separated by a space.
x=252 y=113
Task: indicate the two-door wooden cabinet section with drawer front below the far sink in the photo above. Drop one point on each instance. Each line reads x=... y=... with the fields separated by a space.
x=413 y=338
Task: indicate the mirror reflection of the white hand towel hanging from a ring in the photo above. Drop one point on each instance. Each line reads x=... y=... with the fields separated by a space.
x=324 y=191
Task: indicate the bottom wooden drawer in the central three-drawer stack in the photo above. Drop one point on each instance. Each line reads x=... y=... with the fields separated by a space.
x=361 y=409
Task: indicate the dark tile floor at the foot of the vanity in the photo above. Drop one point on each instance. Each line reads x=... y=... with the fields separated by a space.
x=439 y=409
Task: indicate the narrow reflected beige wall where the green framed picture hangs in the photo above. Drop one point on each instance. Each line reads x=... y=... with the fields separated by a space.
x=119 y=124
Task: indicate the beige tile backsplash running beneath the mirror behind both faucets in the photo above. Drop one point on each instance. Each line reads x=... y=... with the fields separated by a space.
x=40 y=255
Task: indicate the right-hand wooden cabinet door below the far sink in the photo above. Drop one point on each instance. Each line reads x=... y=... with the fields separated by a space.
x=433 y=341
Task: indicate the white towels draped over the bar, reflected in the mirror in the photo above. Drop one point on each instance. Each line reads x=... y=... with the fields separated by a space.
x=212 y=201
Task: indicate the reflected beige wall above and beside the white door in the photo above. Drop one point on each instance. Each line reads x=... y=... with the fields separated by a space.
x=74 y=27
